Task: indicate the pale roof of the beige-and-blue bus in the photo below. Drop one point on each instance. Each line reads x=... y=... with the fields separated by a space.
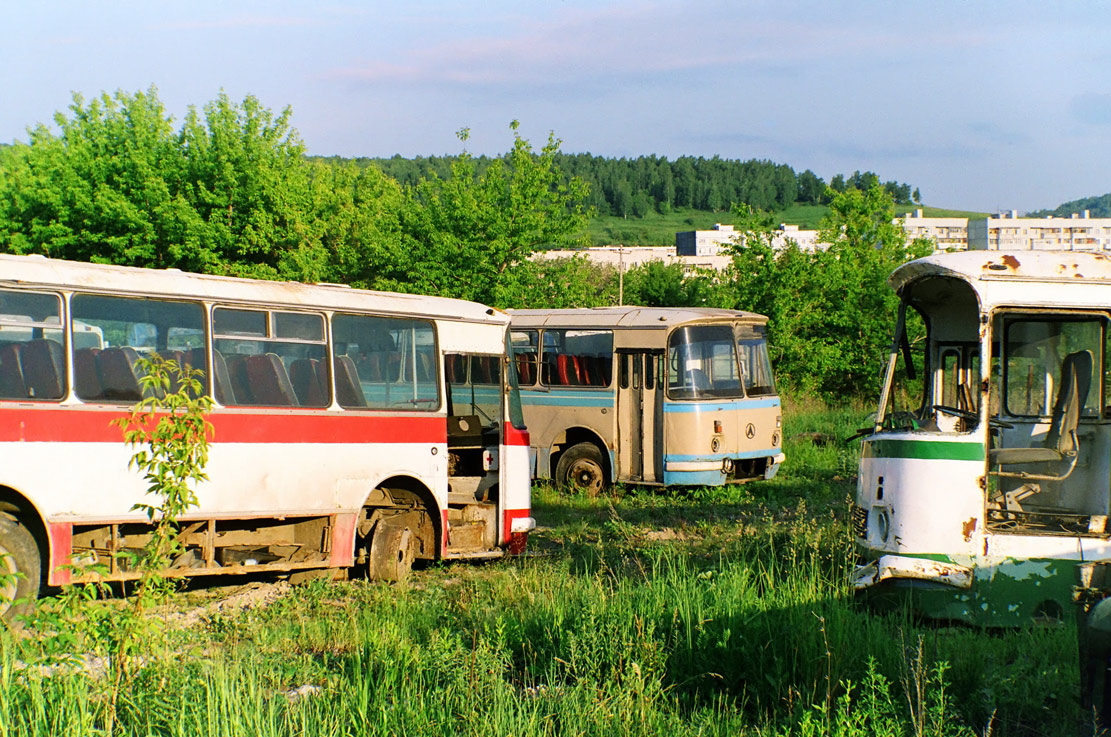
x=629 y=317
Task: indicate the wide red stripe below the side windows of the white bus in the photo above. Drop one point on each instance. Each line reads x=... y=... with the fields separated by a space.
x=75 y=425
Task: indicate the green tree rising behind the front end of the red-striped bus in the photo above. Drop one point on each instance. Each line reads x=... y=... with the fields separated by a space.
x=464 y=236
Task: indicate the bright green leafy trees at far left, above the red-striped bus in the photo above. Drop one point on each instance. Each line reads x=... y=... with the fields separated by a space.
x=229 y=193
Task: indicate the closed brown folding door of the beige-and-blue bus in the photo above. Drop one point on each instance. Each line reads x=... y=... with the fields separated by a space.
x=640 y=416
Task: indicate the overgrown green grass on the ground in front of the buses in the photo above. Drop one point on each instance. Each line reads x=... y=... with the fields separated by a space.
x=699 y=612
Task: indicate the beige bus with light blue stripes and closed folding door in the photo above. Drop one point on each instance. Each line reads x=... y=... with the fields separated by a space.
x=655 y=396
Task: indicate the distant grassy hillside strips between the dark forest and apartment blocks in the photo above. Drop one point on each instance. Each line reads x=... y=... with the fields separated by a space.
x=657 y=230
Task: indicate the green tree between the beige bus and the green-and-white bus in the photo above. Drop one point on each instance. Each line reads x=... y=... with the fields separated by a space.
x=830 y=312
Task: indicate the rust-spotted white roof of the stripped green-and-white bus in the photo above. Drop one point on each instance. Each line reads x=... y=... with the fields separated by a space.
x=1034 y=278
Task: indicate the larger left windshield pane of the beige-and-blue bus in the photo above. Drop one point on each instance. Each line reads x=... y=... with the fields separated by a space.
x=703 y=364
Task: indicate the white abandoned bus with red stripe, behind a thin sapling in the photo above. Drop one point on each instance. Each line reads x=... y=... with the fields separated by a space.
x=341 y=441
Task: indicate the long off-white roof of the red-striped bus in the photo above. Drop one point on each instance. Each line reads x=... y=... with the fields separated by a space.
x=38 y=272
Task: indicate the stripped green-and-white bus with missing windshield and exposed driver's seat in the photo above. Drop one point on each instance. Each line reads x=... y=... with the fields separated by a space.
x=986 y=480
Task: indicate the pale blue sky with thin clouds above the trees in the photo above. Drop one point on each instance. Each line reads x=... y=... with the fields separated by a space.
x=983 y=106
